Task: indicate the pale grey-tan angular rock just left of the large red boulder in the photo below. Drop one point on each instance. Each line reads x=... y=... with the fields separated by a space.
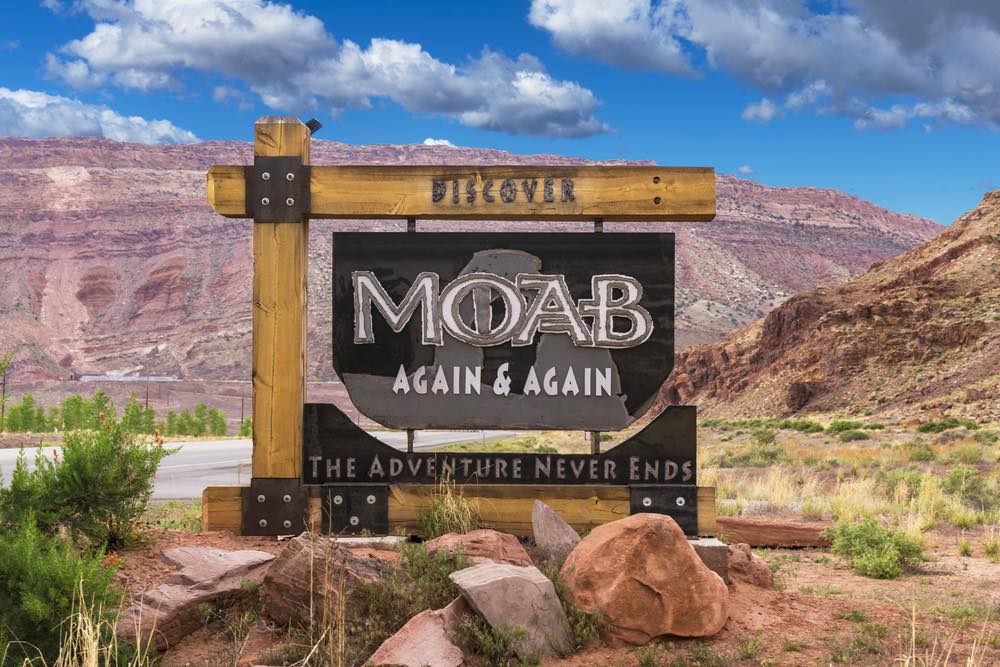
x=517 y=597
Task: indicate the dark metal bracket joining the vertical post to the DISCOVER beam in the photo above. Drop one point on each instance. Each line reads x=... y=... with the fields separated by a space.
x=277 y=189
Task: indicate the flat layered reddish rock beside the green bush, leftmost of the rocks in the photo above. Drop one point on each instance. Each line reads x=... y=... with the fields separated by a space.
x=166 y=614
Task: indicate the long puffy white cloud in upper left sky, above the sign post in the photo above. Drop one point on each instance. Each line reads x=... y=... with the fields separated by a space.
x=287 y=58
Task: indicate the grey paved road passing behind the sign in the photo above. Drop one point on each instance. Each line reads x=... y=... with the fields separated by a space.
x=211 y=462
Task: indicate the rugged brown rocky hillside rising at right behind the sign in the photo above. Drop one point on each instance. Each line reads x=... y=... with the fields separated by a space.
x=919 y=333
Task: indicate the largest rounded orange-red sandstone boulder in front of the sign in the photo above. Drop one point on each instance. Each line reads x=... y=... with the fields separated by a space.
x=646 y=580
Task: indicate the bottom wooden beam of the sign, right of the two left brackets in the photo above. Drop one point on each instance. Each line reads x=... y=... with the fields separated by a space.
x=507 y=507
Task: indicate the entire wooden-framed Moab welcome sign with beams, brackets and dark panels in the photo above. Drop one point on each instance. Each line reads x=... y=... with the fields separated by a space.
x=481 y=330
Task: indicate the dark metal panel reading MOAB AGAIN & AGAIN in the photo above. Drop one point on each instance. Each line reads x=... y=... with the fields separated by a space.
x=522 y=331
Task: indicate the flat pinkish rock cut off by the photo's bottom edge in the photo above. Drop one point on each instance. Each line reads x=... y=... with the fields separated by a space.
x=422 y=642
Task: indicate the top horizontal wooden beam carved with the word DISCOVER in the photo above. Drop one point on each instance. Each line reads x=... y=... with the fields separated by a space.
x=397 y=191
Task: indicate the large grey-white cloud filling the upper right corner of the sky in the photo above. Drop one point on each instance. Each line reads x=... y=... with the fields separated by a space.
x=931 y=60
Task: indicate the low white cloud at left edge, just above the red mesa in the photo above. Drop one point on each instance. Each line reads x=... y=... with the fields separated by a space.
x=30 y=113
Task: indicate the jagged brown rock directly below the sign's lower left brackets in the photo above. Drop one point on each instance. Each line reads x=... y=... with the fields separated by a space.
x=306 y=565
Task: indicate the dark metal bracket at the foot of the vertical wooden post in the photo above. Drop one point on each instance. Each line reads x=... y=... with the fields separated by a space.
x=274 y=507
